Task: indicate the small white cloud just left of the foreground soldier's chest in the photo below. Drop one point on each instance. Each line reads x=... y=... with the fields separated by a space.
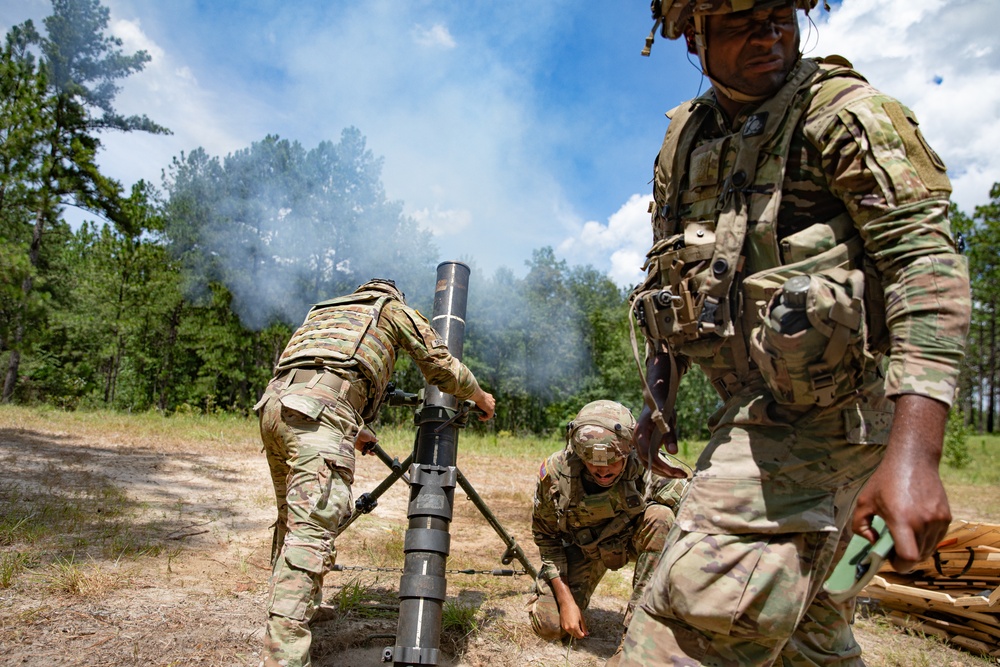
x=622 y=242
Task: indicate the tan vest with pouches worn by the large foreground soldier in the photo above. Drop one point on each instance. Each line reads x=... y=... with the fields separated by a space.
x=718 y=264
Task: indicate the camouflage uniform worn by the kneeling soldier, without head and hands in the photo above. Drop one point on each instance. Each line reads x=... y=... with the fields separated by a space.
x=583 y=529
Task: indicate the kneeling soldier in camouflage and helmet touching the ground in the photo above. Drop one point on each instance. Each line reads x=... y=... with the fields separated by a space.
x=596 y=509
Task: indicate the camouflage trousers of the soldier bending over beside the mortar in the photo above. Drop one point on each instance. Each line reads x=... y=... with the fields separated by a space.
x=311 y=462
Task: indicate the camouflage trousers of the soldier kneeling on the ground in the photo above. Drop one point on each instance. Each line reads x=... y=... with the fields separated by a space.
x=584 y=573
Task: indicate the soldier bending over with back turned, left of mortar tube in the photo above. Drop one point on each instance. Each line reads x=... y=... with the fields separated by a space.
x=329 y=381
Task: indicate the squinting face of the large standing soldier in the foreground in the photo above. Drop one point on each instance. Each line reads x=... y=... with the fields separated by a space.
x=752 y=51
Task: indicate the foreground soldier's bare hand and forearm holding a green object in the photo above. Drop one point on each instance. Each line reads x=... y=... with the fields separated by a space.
x=906 y=488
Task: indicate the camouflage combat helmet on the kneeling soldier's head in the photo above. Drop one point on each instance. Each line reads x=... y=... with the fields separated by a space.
x=601 y=433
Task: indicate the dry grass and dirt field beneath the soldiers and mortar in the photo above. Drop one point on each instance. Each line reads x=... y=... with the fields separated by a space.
x=143 y=539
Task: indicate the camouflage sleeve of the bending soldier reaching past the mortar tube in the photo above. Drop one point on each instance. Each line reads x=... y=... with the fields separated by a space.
x=429 y=351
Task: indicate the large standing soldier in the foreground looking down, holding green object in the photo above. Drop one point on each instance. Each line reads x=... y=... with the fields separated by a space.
x=803 y=258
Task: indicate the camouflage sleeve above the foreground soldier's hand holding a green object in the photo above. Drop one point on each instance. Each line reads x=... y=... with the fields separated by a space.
x=896 y=190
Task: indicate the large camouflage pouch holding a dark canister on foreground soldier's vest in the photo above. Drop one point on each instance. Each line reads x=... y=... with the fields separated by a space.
x=825 y=360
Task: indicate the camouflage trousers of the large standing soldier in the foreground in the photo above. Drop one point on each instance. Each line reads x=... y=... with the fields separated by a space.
x=764 y=520
